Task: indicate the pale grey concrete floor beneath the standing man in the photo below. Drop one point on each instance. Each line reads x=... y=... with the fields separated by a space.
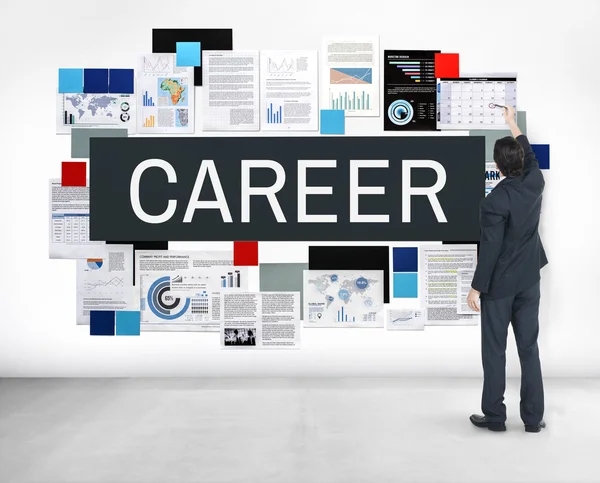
x=287 y=430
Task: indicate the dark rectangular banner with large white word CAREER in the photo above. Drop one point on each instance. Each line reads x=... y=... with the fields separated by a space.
x=286 y=188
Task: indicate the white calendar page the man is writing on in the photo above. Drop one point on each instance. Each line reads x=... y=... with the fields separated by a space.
x=470 y=102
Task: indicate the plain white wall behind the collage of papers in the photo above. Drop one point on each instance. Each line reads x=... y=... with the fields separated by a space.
x=554 y=50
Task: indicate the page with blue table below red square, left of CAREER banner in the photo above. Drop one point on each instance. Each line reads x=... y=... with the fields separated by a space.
x=70 y=222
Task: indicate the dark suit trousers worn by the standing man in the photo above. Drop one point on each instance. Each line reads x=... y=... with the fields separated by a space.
x=522 y=311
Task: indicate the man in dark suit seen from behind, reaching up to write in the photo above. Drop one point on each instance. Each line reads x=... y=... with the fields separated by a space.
x=506 y=284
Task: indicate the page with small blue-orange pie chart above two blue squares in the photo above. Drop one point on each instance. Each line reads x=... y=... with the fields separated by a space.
x=106 y=282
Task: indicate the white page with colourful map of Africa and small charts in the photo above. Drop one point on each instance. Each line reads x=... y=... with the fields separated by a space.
x=165 y=95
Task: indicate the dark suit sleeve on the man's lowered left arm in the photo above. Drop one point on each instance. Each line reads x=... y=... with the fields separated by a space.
x=493 y=226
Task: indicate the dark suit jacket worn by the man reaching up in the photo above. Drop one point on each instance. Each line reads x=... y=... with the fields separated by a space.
x=511 y=252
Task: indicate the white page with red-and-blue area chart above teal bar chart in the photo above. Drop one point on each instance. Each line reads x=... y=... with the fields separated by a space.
x=350 y=75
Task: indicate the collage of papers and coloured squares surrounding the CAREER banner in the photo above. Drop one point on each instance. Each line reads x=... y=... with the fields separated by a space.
x=126 y=288
